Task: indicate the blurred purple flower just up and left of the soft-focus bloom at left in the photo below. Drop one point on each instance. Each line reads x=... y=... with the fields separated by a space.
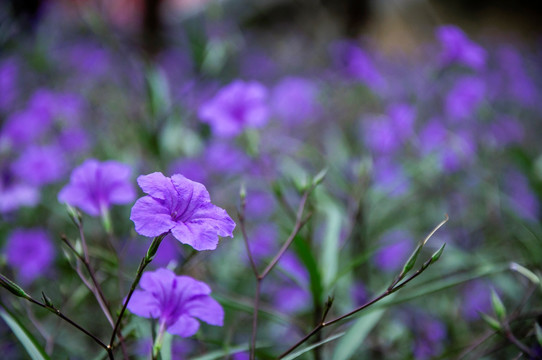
x=40 y=165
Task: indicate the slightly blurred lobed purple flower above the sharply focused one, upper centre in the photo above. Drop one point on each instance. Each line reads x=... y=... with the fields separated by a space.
x=235 y=107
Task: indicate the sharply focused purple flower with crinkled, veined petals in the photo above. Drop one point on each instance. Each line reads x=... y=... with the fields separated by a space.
x=181 y=206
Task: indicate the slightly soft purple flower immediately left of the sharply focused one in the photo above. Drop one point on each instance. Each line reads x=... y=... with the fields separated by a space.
x=95 y=185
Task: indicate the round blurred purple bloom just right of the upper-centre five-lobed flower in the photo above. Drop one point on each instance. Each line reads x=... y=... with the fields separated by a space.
x=295 y=100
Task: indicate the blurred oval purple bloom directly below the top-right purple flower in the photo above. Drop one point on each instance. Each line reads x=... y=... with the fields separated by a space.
x=465 y=96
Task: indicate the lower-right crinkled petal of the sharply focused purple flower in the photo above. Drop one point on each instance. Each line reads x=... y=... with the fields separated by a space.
x=197 y=234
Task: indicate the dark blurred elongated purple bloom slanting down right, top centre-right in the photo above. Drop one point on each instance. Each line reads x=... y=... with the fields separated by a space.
x=350 y=59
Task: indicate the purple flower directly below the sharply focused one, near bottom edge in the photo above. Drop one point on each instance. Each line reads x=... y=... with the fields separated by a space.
x=175 y=301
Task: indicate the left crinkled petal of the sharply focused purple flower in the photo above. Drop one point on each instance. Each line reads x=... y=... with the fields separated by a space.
x=150 y=217
